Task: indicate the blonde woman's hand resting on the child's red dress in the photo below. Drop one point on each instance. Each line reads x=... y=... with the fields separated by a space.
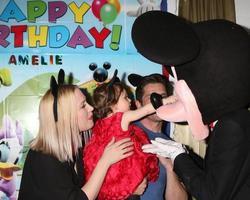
x=116 y=151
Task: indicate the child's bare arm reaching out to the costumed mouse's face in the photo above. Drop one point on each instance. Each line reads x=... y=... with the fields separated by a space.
x=143 y=111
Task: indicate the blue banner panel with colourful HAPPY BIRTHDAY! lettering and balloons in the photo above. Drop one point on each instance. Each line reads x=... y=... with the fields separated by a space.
x=58 y=24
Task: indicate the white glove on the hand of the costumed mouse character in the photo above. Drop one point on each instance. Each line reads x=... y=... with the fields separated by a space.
x=165 y=148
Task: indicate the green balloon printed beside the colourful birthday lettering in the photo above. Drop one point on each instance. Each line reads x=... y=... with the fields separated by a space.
x=108 y=13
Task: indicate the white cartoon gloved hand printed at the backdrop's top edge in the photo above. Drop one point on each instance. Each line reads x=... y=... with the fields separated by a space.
x=145 y=5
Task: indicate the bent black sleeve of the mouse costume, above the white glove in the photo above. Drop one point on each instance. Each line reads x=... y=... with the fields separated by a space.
x=225 y=164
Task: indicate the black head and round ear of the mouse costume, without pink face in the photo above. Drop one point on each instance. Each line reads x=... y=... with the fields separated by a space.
x=221 y=65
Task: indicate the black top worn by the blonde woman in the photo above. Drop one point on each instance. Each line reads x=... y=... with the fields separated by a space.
x=46 y=178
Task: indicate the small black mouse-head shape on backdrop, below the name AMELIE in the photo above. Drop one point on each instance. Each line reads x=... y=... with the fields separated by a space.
x=100 y=74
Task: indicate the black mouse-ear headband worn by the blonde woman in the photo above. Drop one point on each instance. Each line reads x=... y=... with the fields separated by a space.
x=54 y=85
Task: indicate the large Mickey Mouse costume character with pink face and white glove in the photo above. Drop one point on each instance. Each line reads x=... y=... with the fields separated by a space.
x=211 y=60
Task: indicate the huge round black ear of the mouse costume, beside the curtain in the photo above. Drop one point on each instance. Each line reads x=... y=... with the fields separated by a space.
x=177 y=41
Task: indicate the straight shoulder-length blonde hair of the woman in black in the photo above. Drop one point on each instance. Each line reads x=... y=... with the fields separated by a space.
x=60 y=139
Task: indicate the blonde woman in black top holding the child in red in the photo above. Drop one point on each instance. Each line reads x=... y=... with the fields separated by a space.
x=49 y=172
